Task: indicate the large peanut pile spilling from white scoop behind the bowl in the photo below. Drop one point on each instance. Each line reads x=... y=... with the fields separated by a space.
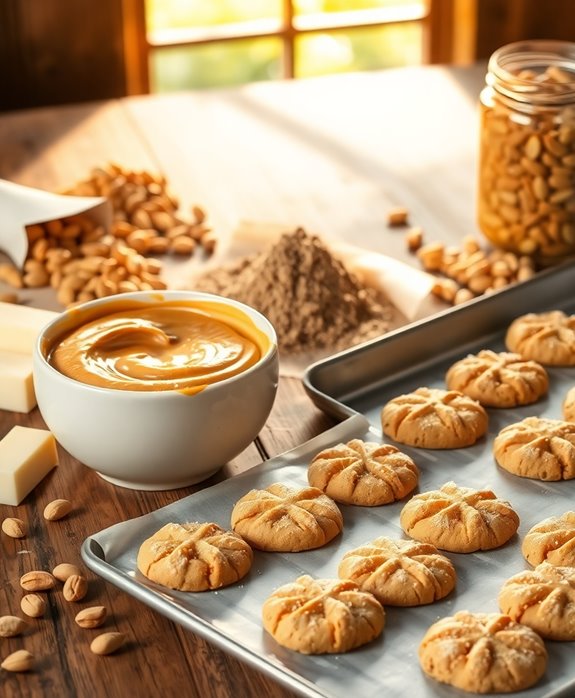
x=82 y=261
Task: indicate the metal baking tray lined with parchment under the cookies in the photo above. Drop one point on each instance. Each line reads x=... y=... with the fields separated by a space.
x=353 y=386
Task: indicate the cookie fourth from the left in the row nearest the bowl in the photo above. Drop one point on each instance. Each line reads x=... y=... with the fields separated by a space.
x=434 y=418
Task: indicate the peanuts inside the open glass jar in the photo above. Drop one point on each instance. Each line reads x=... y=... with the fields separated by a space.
x=527 y=173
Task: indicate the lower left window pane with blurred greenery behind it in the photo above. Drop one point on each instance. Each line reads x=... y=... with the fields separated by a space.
x=215 y=65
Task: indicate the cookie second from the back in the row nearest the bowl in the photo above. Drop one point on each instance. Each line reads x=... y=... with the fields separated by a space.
x=498 y=379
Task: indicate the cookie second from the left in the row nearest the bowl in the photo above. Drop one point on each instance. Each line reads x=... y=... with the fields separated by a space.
x=288 y=519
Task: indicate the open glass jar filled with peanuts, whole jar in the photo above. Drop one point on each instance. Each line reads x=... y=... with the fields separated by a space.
x=526 y=188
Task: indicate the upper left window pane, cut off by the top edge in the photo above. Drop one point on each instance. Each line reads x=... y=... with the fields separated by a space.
x=171 y=14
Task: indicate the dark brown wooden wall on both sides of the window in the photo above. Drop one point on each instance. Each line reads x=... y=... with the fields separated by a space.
x=63 y=51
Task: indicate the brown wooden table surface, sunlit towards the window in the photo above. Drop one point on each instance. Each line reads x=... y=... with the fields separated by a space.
x=331 y=154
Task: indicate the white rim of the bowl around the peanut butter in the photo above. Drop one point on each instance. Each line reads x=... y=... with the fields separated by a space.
x=159 y=296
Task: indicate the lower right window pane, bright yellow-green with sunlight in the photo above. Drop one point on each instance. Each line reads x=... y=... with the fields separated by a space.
x=358 y=49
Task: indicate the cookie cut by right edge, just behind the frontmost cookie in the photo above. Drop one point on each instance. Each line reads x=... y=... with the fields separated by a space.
x=543 y=599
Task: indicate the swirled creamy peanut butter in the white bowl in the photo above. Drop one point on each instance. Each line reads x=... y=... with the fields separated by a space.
x=179 y=345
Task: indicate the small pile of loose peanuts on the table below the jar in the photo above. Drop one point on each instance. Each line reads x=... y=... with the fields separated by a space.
x=465 y=272
